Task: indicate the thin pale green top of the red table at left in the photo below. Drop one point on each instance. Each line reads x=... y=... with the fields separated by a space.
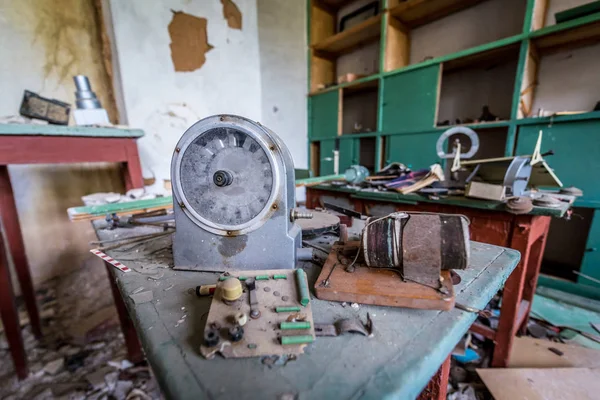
x=60 y=130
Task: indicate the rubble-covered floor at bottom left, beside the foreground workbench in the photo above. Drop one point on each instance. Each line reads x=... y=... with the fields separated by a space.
x=82 y=354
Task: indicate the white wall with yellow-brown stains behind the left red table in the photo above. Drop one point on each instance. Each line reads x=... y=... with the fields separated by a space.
x=43 y=43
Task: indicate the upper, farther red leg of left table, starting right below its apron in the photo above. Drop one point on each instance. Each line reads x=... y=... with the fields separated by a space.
x=16 y=247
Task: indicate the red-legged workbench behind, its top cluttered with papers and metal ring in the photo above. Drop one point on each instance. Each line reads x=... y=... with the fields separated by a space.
x=490 y=223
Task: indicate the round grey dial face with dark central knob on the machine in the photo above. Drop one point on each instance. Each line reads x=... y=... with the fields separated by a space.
x=226 y=177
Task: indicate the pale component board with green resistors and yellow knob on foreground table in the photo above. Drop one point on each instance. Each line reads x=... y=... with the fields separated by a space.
x=261 y=335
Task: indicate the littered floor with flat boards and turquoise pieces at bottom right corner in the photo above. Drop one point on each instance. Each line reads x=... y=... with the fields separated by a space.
x=561 y=343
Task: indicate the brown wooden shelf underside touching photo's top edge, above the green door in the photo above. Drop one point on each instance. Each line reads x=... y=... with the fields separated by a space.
x=414 y=13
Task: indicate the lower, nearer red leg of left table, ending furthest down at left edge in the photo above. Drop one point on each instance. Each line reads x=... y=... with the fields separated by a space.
x=10 y=317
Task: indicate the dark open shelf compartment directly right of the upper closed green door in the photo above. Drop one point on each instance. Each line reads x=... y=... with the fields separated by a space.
x=470 y=83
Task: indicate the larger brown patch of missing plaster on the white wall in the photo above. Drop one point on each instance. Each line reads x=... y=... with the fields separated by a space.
x=189 y=41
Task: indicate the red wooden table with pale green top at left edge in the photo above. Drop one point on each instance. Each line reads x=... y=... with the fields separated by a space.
x=49 y=144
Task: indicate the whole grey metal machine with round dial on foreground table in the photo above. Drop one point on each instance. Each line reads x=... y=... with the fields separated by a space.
x=233 y=195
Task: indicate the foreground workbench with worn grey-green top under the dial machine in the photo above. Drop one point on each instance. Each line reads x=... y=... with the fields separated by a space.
x=407 y=349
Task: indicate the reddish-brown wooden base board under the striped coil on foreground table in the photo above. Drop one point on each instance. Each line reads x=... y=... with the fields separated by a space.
x=378 y=287
